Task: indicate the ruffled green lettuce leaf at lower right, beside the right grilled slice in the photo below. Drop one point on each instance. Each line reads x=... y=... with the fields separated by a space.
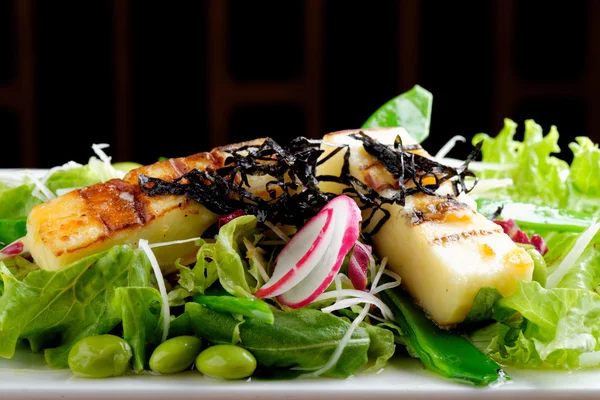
x=543 y=328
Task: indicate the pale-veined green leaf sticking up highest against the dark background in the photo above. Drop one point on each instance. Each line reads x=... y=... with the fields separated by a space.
x=410 y=110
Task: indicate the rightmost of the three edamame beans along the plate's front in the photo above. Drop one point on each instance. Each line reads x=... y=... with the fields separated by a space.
x=226 y=361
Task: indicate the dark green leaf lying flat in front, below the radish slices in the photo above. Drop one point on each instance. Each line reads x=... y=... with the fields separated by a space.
x=302 y=338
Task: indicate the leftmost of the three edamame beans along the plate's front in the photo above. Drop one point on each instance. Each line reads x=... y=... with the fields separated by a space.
x=100 y=356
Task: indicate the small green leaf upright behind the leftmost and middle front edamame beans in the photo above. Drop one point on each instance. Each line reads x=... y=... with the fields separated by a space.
x=140 y=309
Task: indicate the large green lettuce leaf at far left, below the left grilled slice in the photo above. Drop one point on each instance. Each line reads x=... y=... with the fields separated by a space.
x=74 y=301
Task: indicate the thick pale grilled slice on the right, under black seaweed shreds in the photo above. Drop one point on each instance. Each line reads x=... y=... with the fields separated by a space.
x=441 y=247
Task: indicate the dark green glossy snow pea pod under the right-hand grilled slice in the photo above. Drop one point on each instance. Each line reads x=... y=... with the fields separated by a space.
x=446 y=353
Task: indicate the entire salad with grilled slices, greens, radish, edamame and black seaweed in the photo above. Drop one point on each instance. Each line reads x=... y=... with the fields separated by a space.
x=271 y=266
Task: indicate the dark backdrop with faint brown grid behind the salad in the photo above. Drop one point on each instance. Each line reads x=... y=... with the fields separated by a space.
x=174 y=78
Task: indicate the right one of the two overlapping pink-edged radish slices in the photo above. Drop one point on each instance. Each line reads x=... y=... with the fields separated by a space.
x=346 y=218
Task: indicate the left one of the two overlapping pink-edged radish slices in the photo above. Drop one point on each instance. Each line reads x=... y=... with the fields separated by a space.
x=300 y=255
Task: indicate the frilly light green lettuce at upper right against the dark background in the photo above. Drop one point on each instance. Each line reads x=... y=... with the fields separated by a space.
x=540 y=177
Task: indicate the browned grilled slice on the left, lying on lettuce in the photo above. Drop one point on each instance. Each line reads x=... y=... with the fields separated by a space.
x=95 y=218
